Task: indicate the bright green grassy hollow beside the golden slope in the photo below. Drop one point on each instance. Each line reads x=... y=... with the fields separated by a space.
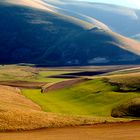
x=90 y=98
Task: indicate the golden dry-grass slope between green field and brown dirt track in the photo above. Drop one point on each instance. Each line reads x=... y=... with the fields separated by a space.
x=19 y=113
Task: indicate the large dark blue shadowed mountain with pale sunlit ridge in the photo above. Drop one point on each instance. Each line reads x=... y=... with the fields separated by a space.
x=40 y=33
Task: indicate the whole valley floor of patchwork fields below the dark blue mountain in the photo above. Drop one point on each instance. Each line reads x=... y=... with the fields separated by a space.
x=34 y=98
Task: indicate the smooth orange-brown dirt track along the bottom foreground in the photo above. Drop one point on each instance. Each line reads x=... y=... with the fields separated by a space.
x=118 y=131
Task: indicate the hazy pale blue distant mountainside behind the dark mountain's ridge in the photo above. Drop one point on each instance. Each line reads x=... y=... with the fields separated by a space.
x=123 y=20
